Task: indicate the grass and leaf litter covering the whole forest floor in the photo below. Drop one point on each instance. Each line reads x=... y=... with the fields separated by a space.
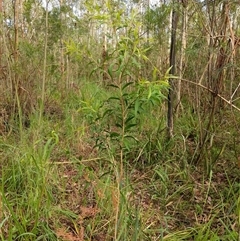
x=56 y=186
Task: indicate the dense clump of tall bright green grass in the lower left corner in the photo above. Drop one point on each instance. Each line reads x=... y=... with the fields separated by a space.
x=26 y=192
